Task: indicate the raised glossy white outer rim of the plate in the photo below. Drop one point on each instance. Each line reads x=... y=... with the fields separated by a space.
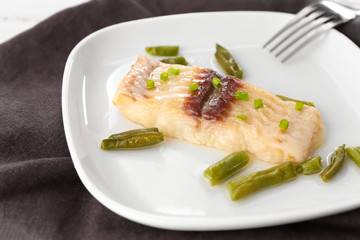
x=178 y=222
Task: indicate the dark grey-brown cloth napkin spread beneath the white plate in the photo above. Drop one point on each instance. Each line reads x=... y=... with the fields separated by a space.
x=41 y=196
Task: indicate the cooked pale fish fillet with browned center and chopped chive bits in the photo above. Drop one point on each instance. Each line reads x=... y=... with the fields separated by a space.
x=208 y=116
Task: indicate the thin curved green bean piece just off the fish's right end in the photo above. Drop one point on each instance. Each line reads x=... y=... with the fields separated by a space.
x=336 y=161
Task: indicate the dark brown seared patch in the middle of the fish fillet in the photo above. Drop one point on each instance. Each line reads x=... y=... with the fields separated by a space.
x=210 y=102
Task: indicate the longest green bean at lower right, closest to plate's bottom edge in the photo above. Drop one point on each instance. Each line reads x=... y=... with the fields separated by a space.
x=256 y=181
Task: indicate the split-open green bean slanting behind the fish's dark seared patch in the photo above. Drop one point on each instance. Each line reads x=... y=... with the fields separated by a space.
x=227 y=62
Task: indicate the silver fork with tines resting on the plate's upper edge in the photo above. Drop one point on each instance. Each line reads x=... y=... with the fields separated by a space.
x=307 y=24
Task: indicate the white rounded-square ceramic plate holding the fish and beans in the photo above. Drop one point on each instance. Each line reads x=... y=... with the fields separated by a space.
x=164 y=186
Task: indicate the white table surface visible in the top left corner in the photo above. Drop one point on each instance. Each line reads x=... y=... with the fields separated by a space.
x=17 y=16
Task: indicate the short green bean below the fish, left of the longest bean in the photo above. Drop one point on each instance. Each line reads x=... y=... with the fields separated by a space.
x=226 y=167
